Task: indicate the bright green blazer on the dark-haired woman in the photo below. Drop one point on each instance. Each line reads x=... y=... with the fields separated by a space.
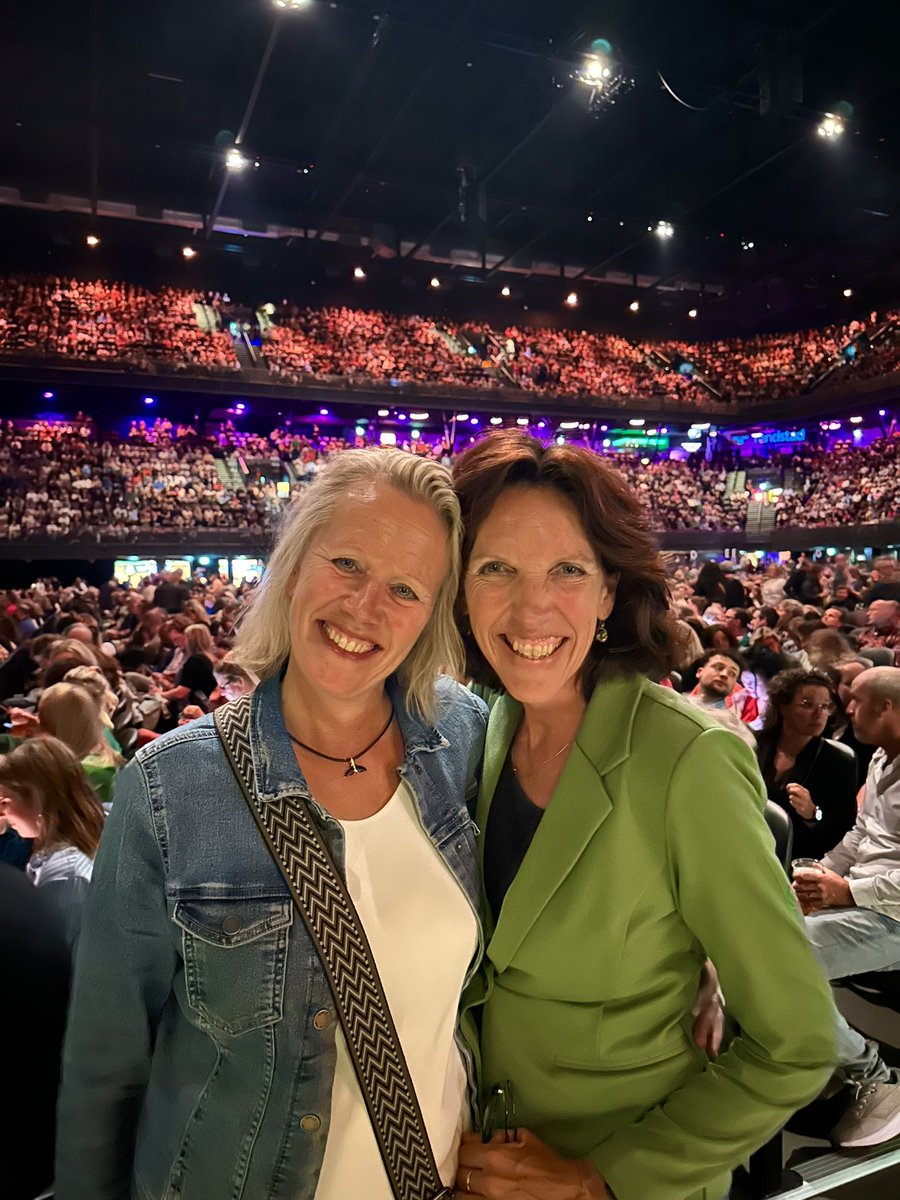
x=653 y=854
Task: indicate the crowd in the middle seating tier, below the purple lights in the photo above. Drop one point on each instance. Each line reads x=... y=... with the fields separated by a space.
x=67 y=481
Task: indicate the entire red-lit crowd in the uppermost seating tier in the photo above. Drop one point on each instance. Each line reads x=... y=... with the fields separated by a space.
x=123 y=323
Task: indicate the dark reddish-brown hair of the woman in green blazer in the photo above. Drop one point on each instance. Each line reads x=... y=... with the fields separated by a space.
x=641 y=627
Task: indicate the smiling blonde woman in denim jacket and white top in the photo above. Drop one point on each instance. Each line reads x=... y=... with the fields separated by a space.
x=205 y=1058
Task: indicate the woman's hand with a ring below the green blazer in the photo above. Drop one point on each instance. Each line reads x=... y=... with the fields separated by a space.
x=525 y=1169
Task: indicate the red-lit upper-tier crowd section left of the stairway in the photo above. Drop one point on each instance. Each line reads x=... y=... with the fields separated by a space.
x=109 y=322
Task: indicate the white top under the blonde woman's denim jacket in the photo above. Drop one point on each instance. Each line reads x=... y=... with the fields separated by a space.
x=423 y=934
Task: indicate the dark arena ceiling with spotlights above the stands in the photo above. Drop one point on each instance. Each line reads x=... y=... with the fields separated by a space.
x=460 y=135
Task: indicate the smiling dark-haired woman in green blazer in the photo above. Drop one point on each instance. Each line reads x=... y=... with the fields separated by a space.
x=623 y=842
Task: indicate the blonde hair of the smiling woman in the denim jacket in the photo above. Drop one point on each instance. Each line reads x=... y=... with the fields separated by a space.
x=265 y=637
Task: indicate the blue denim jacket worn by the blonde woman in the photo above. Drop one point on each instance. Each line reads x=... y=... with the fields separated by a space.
x=201 y=1048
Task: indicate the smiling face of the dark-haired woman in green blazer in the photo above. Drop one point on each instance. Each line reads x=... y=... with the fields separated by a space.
x=535 y=592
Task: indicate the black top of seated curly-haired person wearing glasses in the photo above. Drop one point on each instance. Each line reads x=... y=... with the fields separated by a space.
x=830 y=775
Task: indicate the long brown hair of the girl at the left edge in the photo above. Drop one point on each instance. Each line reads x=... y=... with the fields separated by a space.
x=50 y=781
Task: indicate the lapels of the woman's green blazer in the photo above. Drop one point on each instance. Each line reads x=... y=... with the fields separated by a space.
x=579 y=807
